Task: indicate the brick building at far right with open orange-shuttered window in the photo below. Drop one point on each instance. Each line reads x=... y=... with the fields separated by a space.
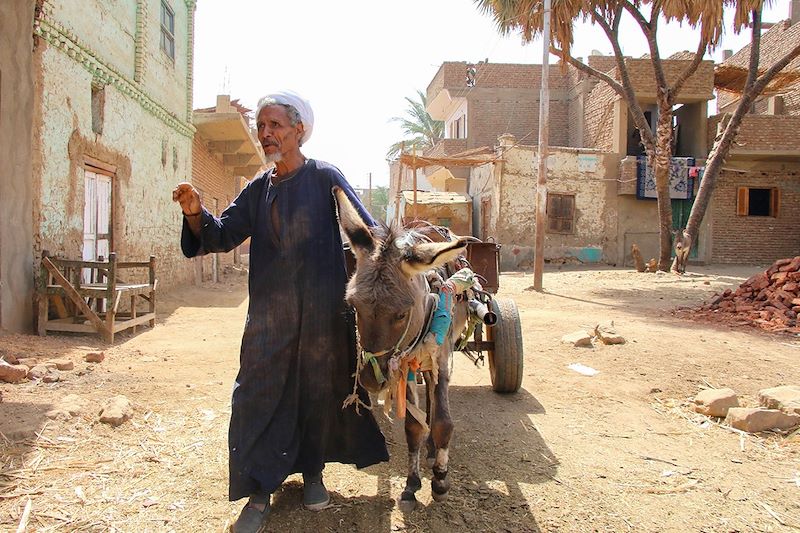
x=756 y=204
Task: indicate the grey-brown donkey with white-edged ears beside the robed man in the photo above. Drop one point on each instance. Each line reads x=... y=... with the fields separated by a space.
x=390 y=295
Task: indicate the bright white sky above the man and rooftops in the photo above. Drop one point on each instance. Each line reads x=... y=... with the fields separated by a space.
x=356 y=61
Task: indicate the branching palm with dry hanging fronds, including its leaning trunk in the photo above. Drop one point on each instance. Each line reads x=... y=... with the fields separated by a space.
x=527 y=17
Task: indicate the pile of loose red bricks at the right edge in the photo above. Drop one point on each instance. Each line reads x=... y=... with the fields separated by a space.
x=769 y=300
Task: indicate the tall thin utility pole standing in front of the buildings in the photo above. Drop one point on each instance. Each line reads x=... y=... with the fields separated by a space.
x=544 y=134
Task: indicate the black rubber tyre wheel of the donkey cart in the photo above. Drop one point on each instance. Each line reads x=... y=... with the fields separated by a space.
x=506 y=356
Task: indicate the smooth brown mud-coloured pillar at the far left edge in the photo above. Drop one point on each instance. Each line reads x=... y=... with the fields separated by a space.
x=16 y=180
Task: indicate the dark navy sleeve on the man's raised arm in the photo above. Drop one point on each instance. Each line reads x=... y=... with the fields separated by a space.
x=225 y=233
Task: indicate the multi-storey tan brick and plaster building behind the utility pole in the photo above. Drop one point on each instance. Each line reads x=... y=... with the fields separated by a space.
x=595 y=208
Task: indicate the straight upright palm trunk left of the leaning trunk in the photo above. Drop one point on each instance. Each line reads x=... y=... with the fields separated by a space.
x=661 y=165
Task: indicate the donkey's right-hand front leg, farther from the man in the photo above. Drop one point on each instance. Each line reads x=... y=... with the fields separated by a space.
x=441 y=431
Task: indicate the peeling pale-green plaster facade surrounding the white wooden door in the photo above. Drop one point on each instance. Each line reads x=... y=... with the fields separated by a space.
x=146 y=136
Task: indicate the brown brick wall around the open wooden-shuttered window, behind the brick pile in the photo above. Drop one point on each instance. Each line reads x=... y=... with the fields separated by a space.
x=748 y=239
